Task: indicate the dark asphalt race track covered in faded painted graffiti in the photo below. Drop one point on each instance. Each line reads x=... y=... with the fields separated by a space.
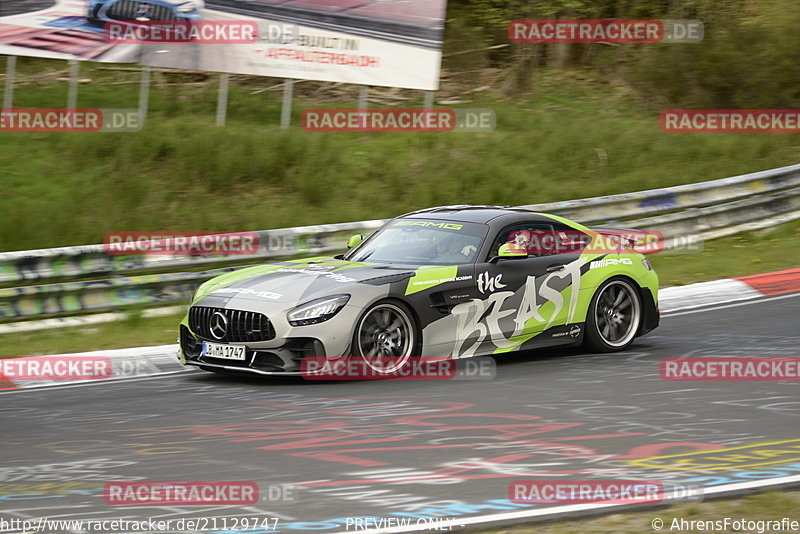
x=413 y=449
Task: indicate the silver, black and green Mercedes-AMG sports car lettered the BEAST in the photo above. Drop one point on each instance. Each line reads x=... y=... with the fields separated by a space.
x=446 y=282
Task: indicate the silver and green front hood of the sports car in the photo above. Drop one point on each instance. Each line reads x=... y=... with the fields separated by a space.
x=297 y=282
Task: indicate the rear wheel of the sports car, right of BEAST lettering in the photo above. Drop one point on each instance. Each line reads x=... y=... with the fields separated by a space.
x=614 y=316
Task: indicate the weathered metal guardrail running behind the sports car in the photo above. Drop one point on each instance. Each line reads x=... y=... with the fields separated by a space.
x=84 y=279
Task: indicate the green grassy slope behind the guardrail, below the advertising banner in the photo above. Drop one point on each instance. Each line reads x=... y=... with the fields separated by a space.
x=578 y=136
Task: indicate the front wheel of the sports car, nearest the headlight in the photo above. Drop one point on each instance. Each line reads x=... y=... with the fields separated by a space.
x=385 y=337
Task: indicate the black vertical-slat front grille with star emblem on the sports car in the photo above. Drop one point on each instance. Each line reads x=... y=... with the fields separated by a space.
x=243 y=326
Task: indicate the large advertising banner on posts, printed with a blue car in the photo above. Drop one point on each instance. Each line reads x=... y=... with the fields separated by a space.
x=395 y=43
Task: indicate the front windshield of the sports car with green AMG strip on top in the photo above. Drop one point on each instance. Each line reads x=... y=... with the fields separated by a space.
x=422 y=242
